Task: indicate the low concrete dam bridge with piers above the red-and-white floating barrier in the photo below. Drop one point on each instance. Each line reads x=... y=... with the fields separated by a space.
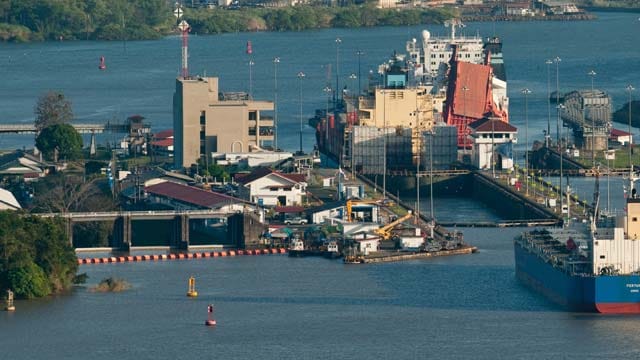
x=122 y=234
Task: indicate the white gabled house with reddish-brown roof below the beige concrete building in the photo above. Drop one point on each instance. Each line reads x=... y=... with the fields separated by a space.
x=267 y=187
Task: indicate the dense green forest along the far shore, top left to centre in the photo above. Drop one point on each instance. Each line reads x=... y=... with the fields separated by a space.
x=39 y=20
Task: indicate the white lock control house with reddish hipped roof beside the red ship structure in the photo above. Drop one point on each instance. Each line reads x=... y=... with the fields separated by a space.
x=493 y=141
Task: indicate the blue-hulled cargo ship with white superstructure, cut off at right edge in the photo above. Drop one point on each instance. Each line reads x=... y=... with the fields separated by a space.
x=590 y=266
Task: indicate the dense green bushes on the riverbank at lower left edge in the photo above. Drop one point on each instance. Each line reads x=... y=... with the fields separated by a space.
x=36 y=258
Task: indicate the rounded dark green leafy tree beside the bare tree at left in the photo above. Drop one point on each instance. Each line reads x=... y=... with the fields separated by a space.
x=62 y=138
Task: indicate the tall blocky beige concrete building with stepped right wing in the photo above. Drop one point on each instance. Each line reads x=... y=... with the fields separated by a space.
x=206 y=120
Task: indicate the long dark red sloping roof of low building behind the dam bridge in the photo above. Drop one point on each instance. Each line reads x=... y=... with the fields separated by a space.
x=191 y=195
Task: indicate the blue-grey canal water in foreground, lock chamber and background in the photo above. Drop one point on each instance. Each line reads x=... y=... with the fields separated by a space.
x=275 y=307
